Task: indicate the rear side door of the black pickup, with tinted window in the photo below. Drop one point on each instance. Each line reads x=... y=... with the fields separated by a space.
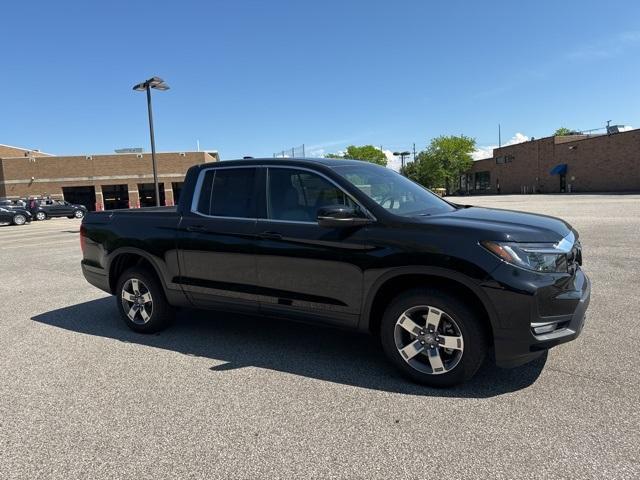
x=216 y=240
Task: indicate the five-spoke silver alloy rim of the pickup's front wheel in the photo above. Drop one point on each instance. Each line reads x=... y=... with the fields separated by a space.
x=429 y=340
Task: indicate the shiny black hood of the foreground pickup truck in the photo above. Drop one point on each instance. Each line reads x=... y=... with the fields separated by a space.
x=503 y=225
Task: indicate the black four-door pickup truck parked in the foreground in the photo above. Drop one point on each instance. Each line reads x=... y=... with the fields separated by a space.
x=350 y=244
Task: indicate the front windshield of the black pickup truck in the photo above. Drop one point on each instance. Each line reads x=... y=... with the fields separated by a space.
x=392 y=191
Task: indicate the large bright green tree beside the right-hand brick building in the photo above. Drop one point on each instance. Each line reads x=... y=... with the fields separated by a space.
x=443 y=162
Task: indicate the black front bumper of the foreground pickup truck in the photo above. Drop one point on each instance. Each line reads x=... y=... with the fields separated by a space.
x=536 y=312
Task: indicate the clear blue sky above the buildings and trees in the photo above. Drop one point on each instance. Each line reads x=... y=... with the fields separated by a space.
x=255 y=77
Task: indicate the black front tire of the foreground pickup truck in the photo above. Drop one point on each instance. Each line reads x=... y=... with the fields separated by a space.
x=459 y=365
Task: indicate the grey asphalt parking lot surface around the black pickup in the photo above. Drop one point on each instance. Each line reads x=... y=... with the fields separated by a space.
x=222 y=396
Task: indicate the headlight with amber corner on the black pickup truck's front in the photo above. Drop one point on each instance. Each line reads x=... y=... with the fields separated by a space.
x=539 y=257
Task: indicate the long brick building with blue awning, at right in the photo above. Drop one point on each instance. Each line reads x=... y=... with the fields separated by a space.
x=573 y=163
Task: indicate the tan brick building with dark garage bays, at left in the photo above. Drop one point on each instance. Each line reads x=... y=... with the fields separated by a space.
x=97 y=181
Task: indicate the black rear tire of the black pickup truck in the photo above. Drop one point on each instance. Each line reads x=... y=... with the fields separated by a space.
x=158 y=311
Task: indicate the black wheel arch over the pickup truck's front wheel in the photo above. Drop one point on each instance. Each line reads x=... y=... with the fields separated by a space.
x=398 y=280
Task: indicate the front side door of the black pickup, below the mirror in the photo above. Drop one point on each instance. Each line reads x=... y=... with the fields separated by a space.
x=303 y=268
